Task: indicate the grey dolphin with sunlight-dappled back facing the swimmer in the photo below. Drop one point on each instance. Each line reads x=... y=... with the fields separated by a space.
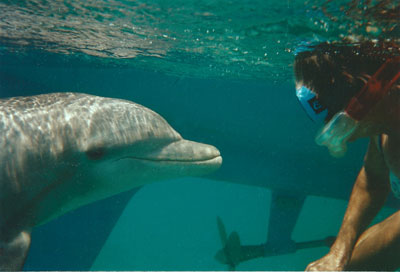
x=60 y=151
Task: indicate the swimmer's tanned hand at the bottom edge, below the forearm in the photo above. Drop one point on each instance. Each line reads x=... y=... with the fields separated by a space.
x=333 y=261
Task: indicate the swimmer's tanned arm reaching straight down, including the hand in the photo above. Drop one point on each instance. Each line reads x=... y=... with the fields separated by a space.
x=368 y=196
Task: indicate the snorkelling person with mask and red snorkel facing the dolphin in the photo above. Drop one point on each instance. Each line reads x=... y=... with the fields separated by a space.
x=354 y=91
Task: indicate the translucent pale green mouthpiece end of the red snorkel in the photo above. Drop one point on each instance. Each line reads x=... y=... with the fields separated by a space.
x=336 y=133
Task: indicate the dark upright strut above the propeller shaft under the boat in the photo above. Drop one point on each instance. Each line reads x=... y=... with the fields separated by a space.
x=284 y=211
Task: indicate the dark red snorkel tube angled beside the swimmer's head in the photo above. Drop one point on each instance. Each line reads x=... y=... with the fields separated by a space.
x=375 y=89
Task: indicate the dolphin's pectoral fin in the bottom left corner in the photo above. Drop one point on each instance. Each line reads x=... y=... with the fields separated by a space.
x=14 y=251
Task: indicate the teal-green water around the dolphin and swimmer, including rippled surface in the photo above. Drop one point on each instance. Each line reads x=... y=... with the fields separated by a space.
x=220 y=72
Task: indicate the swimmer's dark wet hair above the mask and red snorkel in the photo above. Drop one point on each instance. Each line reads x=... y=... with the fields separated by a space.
x=337 y=71
